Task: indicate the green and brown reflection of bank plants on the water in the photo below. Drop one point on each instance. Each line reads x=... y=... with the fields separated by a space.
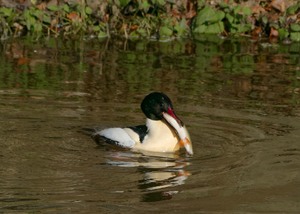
x=202 y=70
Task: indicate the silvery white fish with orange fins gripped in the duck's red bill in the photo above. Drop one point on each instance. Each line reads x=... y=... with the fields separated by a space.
x=181 y=130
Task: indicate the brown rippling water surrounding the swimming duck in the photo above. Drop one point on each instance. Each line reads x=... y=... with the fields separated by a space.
x=239 y=99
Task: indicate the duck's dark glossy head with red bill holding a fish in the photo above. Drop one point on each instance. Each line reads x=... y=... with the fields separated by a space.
x=158 y=106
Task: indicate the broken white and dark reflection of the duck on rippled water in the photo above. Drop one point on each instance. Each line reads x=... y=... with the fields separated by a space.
x=160 y=171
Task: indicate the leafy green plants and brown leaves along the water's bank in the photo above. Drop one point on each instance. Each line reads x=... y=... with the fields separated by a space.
x=156 y=19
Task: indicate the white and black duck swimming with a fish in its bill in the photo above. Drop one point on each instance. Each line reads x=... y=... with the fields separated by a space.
x=163 y=131
